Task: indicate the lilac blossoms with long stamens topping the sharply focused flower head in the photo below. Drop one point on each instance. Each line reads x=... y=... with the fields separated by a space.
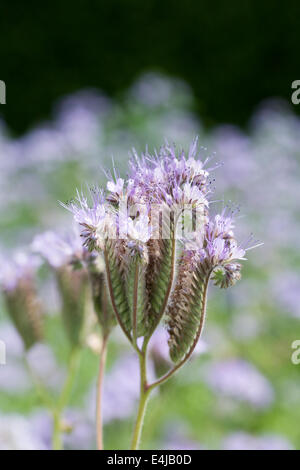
x=159 y=185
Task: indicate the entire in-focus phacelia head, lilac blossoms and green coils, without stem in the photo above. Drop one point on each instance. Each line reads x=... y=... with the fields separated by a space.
x=160 y=244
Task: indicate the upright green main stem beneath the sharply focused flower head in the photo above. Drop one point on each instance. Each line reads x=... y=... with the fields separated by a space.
x=144 y=395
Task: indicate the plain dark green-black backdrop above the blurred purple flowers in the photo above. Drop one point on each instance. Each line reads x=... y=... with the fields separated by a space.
x=233 y=54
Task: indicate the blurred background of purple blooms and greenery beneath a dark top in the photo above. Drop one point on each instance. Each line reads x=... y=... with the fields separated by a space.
x=85 y=84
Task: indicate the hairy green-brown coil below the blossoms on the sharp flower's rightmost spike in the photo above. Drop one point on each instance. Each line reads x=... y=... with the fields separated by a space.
x=186 y=311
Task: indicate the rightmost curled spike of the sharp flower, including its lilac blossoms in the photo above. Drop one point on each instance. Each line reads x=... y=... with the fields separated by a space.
x=210 y=253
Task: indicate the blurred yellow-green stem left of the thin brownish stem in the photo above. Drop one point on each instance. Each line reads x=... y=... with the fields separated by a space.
x=64 y=398
